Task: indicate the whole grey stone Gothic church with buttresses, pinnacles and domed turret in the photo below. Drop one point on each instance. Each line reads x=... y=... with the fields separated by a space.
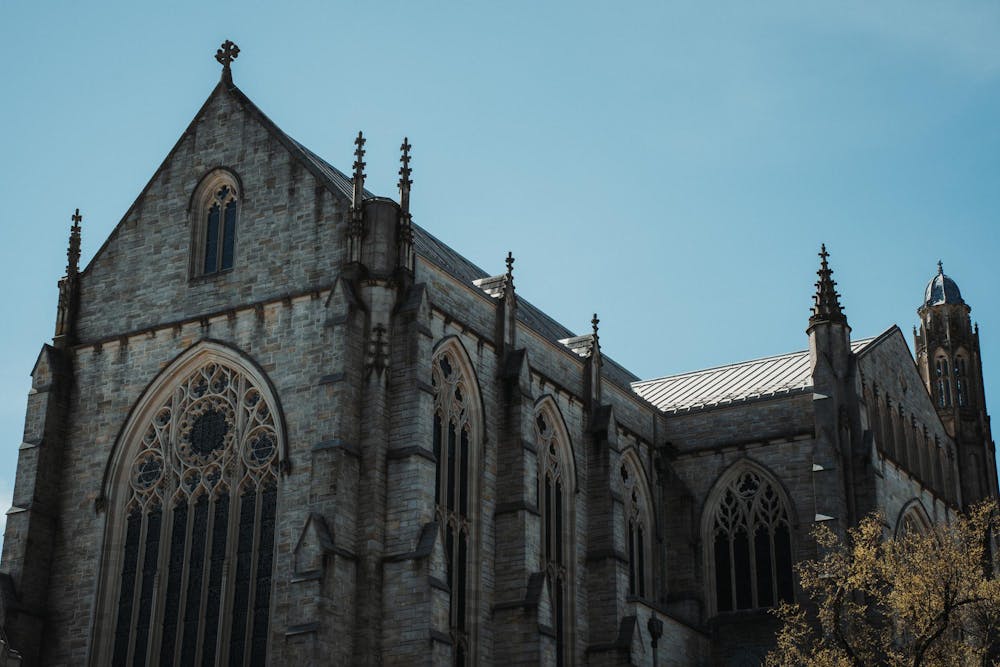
x=281 y=424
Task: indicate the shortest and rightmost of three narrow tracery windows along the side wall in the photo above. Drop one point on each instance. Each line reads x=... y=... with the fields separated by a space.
x=638 y=525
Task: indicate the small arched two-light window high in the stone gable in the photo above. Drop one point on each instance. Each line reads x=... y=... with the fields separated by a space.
x=216 y=207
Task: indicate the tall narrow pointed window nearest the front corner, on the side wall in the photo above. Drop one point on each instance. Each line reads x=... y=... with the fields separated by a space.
x=455 y=444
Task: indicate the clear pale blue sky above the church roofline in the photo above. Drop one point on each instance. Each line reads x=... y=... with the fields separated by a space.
x=672 y=167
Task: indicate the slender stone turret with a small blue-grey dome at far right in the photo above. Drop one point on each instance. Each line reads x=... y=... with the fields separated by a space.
x=949 y=361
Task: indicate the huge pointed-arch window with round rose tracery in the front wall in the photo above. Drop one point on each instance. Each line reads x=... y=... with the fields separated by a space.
x=198 y=516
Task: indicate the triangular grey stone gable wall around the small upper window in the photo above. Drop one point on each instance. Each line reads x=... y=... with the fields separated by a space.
x=288 y=236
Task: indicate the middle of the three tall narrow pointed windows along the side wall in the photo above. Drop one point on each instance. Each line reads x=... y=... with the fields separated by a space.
x=556 y=478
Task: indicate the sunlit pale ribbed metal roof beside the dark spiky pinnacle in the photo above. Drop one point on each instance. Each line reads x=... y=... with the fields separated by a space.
x=744 y=381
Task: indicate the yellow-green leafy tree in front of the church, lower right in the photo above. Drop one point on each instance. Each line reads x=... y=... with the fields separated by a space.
x=925 y=597
